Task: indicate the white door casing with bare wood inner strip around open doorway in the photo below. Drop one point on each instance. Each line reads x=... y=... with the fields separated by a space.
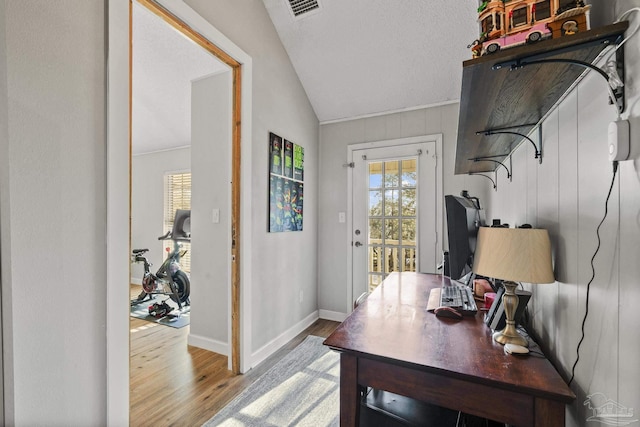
x=182 y=17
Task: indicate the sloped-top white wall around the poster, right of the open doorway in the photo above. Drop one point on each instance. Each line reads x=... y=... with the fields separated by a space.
x=283 y=264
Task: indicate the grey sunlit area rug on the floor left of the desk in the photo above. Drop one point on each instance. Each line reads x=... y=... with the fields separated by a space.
x=302 y=389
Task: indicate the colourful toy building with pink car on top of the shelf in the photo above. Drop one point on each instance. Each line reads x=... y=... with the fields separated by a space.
x=509 y=23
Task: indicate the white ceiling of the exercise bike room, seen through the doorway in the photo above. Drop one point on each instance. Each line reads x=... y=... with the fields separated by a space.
x=164 y=64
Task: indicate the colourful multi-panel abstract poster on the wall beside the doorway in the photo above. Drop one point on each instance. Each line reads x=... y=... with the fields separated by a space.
x=286 y=187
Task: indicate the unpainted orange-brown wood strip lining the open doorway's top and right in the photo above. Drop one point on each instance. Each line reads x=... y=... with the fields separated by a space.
x=236 y=67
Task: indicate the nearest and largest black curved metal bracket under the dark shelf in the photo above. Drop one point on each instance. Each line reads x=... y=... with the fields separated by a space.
x=617 y=89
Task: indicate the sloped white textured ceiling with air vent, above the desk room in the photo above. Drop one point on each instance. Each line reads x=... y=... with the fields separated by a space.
x=362 y=57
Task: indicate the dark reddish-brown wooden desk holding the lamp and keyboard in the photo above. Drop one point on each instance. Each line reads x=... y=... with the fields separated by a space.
x=392 y=343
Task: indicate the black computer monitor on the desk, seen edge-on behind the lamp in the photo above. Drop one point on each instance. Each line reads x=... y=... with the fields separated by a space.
x=464 y=218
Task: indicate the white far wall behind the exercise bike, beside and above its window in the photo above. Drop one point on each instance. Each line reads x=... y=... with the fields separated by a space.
x=147 y=202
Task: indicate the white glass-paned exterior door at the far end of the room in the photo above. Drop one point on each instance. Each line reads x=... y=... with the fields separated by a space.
x=394 y=212
